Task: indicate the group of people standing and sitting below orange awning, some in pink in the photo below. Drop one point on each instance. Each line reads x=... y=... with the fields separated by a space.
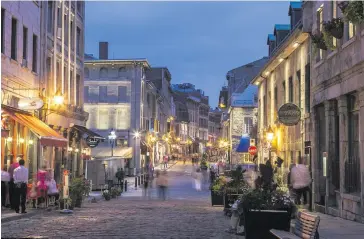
x=14 y=186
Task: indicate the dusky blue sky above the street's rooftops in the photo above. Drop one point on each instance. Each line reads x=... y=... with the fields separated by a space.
x=198 y=41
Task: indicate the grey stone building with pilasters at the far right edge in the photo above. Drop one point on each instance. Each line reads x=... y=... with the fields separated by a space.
x=337 y=108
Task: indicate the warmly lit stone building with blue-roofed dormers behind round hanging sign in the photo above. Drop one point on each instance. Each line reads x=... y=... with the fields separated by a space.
x=285 y=78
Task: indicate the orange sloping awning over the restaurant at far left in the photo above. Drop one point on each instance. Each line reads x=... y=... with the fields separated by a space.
x=47 y=136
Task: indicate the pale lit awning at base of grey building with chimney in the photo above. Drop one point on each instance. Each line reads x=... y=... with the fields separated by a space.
x=118 y=152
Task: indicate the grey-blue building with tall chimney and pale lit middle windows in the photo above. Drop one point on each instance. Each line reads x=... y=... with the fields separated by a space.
x=114 y=94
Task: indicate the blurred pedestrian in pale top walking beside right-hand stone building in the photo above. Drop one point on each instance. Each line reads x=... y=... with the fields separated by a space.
x=300 y=180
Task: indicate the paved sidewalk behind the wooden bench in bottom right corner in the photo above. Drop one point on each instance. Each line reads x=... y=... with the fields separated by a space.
x=335 y=227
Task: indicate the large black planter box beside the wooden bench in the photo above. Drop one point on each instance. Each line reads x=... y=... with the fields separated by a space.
x=258 y=223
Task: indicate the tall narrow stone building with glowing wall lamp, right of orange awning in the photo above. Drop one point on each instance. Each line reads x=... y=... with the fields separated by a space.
x=61 y=62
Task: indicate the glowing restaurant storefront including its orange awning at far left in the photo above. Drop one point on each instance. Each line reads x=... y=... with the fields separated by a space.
x=28 y=137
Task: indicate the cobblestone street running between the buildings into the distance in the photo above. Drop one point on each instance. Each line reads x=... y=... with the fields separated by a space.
x=186 y=214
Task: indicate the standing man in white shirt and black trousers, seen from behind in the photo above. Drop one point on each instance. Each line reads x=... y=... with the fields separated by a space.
x=21 y=176
